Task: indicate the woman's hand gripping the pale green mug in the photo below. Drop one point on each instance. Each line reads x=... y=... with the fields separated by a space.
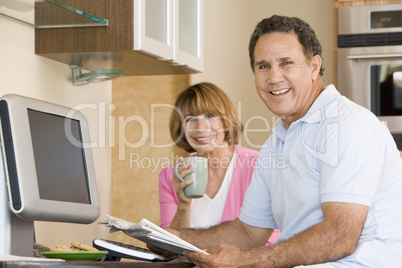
x=183 y=170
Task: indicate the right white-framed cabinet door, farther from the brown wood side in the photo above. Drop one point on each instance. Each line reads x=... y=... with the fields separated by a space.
x=188 y=34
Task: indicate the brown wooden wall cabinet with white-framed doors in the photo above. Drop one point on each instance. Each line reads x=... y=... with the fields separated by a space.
x=140 y=38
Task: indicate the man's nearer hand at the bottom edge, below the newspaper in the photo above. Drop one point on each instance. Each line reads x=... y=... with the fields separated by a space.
x=223 y=255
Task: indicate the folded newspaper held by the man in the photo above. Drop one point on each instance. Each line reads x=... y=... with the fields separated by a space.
x=150 y=233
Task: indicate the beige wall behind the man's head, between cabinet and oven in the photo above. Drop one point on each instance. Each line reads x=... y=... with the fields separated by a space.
x=228 y=26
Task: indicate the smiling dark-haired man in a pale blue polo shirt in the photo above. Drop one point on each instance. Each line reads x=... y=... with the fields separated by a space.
x=335 y=191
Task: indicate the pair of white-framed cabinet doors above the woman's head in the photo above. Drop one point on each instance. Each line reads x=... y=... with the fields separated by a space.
x=170 y=30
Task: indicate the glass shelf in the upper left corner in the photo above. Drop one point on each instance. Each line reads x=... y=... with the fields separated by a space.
x=47 y=14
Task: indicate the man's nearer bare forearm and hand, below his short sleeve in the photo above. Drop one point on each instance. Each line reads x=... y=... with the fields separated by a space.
x=333 y=238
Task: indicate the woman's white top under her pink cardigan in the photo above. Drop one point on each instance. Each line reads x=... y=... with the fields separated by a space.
x=204 y=211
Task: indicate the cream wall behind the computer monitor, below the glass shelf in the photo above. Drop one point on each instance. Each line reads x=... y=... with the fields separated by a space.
x=24 y=73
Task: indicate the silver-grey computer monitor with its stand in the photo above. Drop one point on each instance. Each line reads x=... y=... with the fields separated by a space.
x=48 y=170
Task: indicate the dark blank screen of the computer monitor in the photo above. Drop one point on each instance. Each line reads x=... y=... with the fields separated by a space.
x=48 y=140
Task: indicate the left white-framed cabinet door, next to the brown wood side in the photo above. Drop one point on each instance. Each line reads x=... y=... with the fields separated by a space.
x=153 y=28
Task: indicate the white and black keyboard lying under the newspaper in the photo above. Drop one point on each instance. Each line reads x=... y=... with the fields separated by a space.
x=117 y=250
